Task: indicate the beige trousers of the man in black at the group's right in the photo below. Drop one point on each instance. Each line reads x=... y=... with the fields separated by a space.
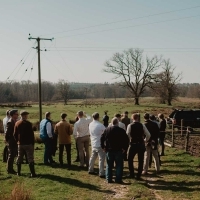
x=155 y=157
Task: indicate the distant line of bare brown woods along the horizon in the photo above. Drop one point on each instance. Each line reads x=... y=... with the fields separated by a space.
x=27 y=91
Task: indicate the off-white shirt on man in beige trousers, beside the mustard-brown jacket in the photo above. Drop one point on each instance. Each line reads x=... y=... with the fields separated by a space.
x=81 y=127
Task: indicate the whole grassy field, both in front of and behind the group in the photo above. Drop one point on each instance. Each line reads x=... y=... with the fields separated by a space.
x=179 y=178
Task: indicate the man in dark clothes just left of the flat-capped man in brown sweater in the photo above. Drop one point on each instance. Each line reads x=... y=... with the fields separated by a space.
x=9 y=138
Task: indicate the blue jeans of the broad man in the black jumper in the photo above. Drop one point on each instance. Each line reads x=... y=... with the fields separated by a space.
x=117 y=157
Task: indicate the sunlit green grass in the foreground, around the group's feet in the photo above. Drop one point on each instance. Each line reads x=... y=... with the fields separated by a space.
x=179 y=179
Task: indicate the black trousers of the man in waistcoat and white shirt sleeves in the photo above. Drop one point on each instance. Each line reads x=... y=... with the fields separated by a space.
x=134 y=149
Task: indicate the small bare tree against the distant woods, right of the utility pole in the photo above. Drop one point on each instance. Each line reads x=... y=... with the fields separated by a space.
x=64 y=90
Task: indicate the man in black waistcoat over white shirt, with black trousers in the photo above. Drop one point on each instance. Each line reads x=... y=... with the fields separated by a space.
x=136 y=132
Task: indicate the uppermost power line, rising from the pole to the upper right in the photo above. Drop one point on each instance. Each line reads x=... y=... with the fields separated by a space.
x=125 y=20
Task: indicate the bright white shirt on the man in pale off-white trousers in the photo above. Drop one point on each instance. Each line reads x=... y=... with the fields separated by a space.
x=96 y=130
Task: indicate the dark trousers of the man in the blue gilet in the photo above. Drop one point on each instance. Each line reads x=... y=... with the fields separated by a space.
x=48 y=150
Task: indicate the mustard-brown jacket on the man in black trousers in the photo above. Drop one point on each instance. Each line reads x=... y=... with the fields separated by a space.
x=64 y=131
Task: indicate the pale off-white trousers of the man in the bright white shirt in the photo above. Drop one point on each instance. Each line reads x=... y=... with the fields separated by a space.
x=102 y=155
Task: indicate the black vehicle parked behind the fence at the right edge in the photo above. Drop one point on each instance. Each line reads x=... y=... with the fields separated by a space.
x=190 y=118
